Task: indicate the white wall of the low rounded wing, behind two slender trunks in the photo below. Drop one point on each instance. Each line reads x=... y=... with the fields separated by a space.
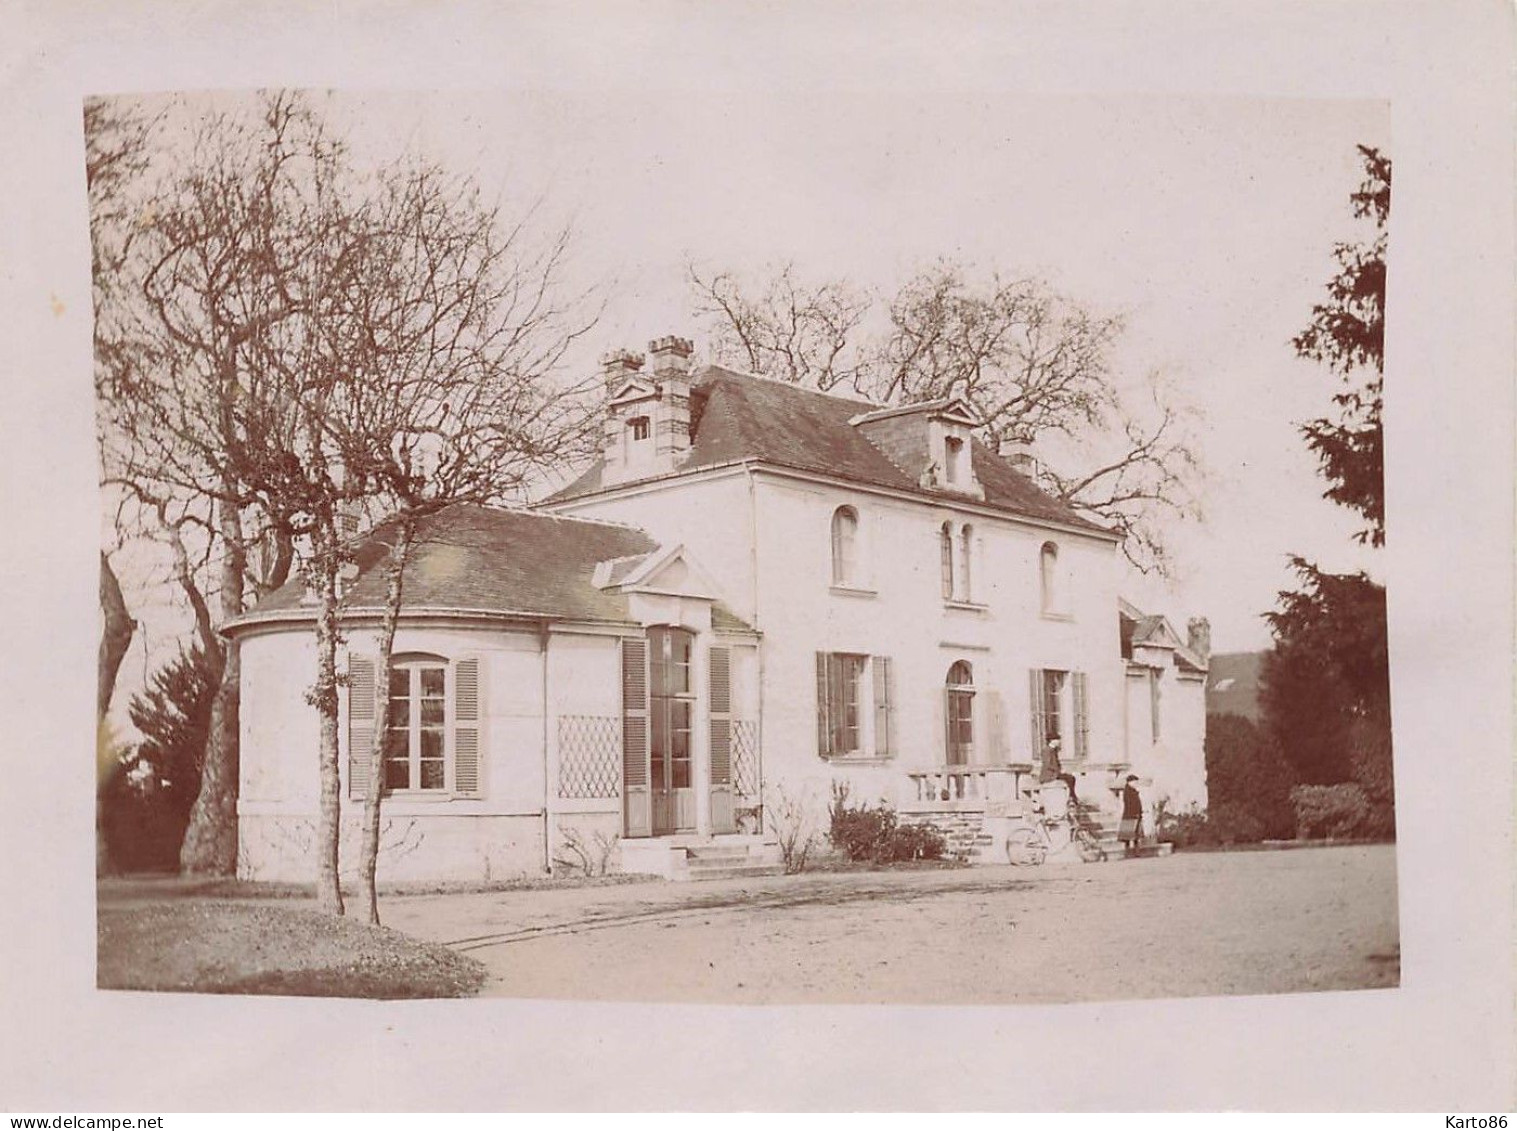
x=429 y=838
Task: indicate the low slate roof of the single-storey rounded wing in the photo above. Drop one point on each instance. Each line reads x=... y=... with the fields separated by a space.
x=500 y=562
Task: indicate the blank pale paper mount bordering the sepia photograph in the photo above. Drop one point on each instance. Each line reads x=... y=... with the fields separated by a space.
x=1442 y=1042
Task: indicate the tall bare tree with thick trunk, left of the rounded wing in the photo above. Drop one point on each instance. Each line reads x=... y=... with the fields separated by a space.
x=228 y=257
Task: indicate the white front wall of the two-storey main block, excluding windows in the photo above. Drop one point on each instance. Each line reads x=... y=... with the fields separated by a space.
x=900 y=613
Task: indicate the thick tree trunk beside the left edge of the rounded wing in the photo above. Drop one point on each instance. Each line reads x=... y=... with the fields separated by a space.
x=210 y=847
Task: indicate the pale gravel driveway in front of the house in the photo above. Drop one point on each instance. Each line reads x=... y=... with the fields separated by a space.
x=1205 y=924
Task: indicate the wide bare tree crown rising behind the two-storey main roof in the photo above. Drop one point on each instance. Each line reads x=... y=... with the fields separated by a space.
x=1032 y=363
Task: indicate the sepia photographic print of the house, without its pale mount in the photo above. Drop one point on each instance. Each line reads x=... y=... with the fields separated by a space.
x=947 y=600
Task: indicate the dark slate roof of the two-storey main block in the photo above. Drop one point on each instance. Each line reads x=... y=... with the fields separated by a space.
x=738 y=418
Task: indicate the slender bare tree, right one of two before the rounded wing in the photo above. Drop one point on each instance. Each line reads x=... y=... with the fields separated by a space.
x=451 y=342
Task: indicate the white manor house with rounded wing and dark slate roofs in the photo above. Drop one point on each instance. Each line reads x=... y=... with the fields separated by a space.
x=755 y=594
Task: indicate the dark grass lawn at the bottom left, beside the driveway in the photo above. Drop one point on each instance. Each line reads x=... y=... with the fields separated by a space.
x=206 y=947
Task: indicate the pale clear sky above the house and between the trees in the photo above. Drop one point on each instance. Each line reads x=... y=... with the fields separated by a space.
x=1208 y=222
